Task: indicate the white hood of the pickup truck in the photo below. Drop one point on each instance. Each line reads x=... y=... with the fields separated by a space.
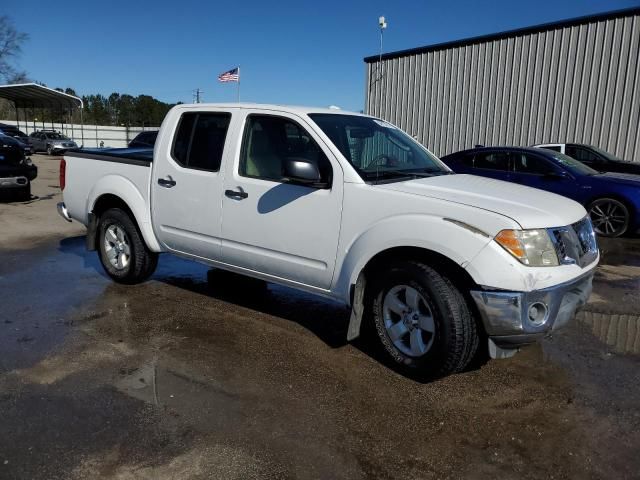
x=529 y=207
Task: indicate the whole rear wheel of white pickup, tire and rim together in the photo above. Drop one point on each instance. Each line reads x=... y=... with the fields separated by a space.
x=123 y=253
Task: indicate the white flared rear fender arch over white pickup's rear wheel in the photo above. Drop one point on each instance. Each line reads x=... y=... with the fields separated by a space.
x=127 y=191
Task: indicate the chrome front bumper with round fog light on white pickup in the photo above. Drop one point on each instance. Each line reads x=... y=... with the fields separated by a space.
x=512 y=319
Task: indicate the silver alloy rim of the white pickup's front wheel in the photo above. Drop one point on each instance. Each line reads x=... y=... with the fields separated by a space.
x=408 y=320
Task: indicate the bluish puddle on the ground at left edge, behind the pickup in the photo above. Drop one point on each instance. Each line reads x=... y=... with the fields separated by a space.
x=40 y=287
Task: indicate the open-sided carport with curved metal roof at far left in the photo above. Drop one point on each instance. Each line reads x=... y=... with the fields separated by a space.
x=32 y=95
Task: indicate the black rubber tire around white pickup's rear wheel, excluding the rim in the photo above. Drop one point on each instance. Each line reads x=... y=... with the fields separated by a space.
x=141 y=261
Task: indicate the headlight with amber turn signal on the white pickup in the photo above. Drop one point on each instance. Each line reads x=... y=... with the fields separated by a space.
x=531 y=247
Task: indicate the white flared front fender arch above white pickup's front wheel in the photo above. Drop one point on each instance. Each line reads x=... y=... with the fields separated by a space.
x=437 y=234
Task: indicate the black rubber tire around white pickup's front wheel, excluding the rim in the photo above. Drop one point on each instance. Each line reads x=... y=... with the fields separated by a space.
x=455 y=339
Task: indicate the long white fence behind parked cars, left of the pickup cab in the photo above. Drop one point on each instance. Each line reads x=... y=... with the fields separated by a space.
x=94 y=135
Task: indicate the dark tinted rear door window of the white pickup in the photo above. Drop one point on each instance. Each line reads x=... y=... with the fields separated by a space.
x=199 y=141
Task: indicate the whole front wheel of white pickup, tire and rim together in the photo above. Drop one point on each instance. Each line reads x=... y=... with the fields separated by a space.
x=422 y=320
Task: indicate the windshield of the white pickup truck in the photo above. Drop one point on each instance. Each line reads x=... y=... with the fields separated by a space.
x=377 y=149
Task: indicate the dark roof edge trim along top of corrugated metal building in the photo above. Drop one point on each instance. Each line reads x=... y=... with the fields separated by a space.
x=509 y=33
